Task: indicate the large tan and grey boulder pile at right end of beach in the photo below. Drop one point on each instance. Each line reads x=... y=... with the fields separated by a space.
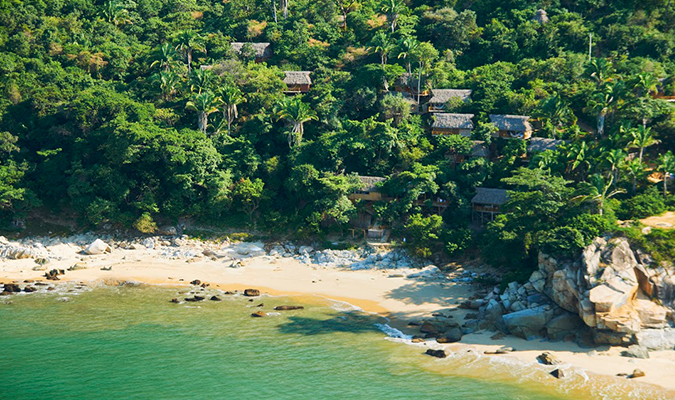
x=611 y=295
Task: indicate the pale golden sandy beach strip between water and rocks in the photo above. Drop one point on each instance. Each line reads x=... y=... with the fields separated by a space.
x=382 y=291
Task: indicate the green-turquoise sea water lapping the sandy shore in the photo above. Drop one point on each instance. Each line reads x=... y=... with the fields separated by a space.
x=131 y=343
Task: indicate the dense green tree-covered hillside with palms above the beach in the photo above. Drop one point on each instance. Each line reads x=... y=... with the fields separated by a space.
x=137 y=113
